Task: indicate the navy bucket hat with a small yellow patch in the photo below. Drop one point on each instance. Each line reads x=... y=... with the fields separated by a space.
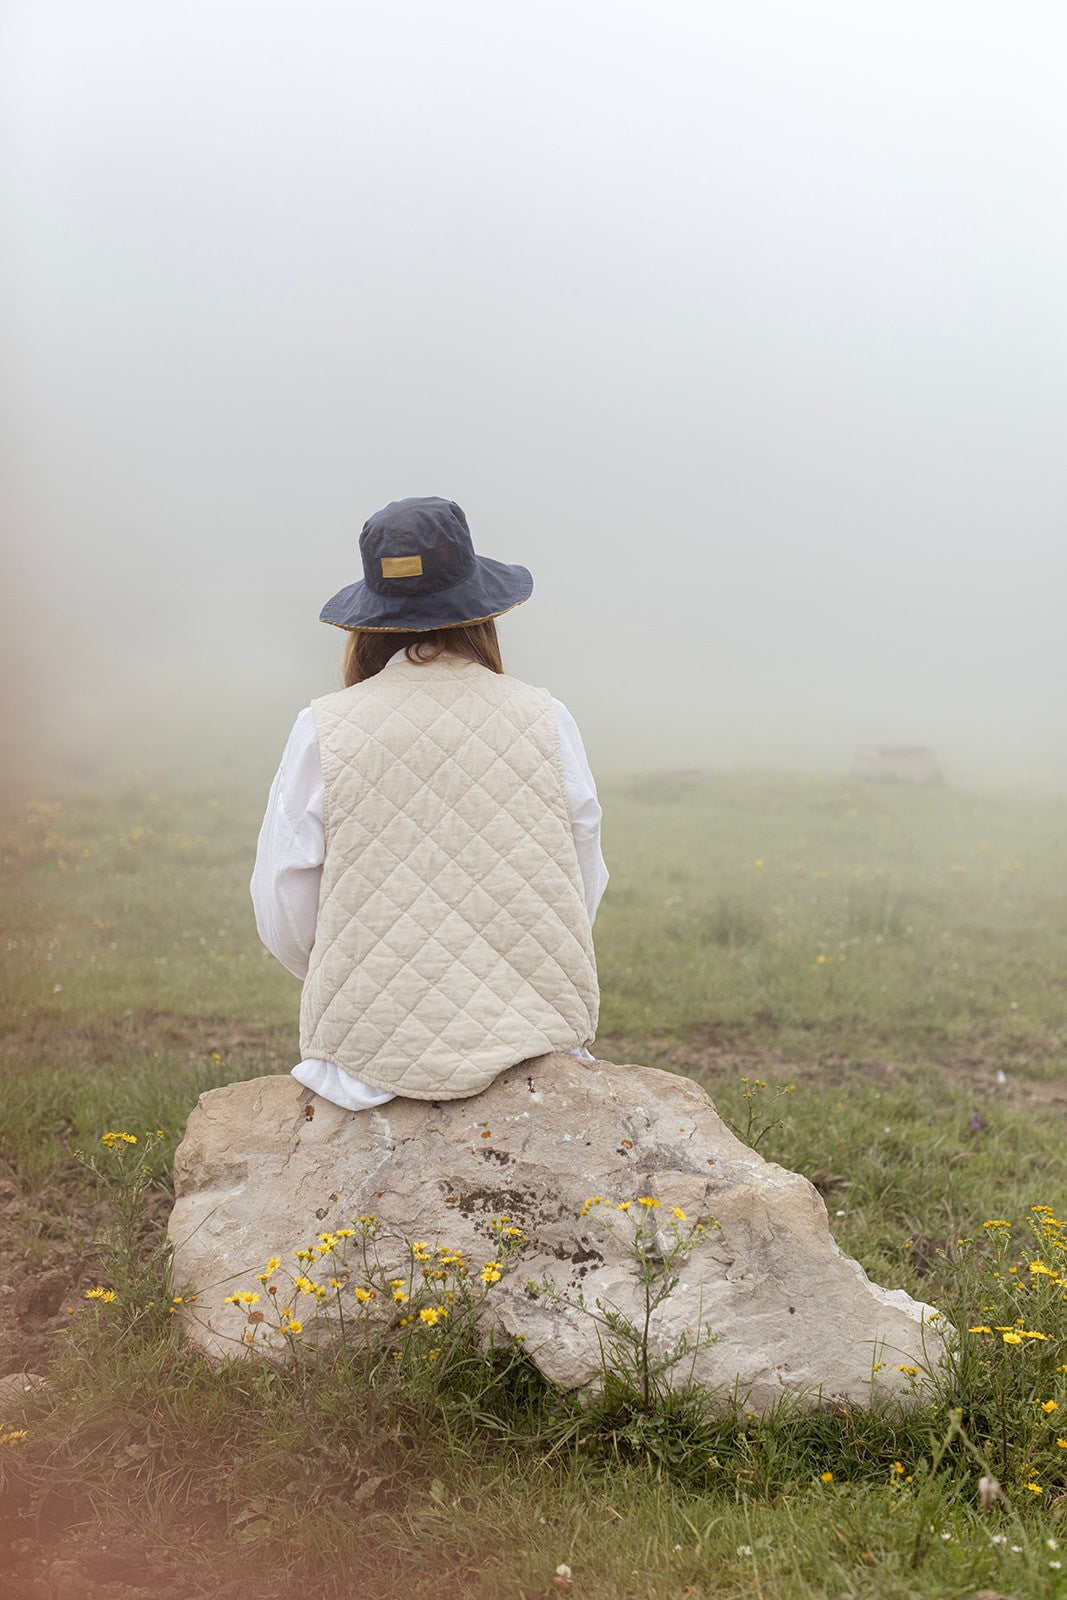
x=420 y=572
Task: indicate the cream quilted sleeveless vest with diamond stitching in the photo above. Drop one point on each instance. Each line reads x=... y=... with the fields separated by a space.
x=454 y=938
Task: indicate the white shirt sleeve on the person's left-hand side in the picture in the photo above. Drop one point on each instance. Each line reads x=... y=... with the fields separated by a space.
x=292 y=850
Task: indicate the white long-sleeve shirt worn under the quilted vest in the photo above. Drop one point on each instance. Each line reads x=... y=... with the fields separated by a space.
x=294 y=846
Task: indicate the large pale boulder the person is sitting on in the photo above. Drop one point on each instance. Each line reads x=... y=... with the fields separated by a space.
x=266 y=1166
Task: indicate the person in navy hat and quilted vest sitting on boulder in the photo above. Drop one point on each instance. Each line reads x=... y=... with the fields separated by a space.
x=430 y=862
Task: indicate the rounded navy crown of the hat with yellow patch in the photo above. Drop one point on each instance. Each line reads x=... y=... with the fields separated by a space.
x=417 y=546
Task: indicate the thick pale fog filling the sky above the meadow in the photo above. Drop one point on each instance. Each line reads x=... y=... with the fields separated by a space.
x=743 y=327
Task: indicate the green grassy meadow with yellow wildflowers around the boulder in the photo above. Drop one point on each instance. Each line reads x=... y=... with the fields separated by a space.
x=898 y=954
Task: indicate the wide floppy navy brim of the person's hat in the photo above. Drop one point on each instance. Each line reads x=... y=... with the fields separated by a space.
x=492 y=590
